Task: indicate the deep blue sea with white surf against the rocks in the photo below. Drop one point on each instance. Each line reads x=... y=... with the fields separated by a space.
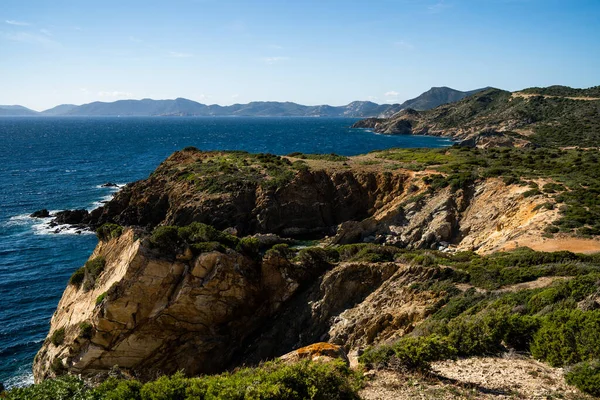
x=61 y=163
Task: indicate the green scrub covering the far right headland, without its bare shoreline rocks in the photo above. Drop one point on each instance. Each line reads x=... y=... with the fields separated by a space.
x=554 y=121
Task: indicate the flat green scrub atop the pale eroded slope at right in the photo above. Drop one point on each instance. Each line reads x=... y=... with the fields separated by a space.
x=575 y=188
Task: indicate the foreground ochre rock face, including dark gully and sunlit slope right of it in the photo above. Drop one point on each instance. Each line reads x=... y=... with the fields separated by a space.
x=217 y=310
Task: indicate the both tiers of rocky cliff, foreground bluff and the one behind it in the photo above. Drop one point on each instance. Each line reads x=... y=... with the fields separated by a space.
x=155 y=304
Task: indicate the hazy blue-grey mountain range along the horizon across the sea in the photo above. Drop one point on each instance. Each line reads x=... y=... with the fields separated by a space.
x=183 y=107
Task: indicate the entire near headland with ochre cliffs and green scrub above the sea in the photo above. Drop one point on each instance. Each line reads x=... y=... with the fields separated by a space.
x=416 y=257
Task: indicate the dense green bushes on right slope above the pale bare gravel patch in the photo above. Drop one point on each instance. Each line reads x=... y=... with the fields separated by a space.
x=557 y=324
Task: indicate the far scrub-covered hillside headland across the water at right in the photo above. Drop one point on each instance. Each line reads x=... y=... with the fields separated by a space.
x=567 y=117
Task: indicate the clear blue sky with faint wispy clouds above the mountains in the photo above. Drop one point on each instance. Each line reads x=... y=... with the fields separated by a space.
x=310 y=52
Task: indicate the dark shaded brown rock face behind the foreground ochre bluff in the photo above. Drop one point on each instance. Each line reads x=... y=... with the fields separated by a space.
x=313 y=201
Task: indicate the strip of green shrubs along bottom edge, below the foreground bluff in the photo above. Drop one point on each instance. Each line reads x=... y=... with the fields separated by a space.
x=273 y=380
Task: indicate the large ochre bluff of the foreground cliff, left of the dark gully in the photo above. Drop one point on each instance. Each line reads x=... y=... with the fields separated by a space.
x=161 y=315
